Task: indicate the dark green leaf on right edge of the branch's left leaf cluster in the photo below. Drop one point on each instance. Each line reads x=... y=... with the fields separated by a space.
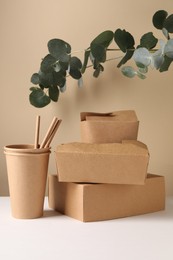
x=75 y=67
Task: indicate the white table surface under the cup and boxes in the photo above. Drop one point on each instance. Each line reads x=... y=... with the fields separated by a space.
x=55 y=236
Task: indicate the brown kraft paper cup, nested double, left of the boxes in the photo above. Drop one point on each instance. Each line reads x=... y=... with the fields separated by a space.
x=27 y=175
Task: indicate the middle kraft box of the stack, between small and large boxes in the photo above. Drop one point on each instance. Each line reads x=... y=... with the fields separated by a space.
x=119 y=163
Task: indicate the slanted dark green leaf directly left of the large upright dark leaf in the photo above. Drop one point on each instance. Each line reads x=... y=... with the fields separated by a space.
x=103 y=39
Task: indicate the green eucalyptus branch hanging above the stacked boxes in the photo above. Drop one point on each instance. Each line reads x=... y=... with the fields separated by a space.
x=61 y=62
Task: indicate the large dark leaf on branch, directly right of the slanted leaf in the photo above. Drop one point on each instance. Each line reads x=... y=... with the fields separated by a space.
x=124 y=40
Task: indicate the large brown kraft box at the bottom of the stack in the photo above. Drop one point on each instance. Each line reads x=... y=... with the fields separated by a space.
x=96 y=202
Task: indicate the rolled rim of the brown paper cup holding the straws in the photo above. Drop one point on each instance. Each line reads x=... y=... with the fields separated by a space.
x=25 y=148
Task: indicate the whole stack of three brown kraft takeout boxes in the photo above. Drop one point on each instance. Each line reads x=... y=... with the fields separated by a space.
x=105 y=176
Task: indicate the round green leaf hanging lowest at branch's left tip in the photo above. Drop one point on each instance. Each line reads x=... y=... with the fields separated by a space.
x=38 y=98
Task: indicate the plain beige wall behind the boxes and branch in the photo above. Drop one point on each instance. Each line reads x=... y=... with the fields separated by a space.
x=26 y=27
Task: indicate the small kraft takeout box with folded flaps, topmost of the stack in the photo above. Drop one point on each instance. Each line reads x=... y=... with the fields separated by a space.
x=109 y=127
